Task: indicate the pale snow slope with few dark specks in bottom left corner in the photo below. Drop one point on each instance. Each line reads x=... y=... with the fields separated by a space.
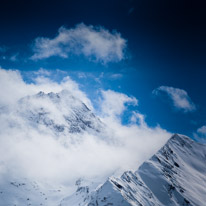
x=23 y=192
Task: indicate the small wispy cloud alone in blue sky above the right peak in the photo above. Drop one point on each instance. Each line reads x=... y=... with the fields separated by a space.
x=179 y=97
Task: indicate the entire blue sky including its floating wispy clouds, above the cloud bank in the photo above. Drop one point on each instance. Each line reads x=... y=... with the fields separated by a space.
x=152 y=50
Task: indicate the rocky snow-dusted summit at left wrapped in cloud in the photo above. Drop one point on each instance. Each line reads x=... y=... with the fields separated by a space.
x=61 y=112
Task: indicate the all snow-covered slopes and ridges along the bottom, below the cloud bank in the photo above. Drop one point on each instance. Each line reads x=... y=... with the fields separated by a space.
x=175 y=175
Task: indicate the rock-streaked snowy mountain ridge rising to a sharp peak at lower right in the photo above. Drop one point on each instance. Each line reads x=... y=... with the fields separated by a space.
x=174 y=176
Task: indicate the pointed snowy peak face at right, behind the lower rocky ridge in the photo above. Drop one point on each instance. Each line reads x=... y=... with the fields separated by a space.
x=177 y=173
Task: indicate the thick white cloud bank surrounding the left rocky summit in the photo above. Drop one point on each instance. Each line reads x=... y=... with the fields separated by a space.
x=33 y=150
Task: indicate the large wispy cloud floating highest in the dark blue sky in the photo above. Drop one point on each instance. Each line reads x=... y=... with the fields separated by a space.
x=95 y=43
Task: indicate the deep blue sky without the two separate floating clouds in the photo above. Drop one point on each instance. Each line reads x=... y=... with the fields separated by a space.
x=166 y=45
